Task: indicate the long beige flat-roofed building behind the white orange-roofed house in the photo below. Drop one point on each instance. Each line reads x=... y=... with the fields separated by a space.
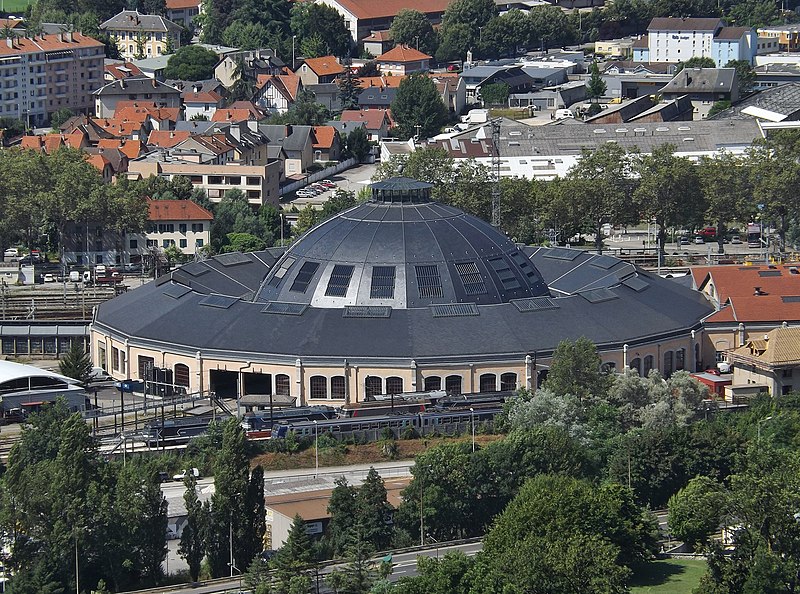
x=260 y=183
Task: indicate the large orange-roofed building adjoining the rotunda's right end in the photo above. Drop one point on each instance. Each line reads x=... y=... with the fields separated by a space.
x=749 y=302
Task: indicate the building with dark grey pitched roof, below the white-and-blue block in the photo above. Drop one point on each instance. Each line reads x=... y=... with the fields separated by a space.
x=704 y=87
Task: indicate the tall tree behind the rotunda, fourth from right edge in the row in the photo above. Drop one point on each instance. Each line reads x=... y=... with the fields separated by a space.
x=602 y=182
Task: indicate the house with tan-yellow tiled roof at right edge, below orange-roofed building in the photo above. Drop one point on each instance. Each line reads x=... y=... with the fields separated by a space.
x=771 y=362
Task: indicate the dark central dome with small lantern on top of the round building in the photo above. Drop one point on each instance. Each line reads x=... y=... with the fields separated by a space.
x=402 y=250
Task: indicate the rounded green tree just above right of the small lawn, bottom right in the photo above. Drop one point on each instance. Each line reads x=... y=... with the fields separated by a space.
x=695 y=511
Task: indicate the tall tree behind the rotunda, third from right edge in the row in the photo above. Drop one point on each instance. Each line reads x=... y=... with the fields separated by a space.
x=668 y=191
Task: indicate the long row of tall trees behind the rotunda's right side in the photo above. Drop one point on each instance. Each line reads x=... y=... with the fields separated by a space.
x=609 y=186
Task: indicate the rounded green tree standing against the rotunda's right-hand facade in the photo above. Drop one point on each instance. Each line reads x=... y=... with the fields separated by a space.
x=576 y=370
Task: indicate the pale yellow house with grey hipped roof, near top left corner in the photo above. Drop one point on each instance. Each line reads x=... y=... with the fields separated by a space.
x=142 y=35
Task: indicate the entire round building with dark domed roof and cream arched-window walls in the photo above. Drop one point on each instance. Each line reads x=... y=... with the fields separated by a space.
x=399 y=294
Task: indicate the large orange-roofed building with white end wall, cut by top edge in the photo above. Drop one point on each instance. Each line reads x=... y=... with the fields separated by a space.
x=361 y=17
